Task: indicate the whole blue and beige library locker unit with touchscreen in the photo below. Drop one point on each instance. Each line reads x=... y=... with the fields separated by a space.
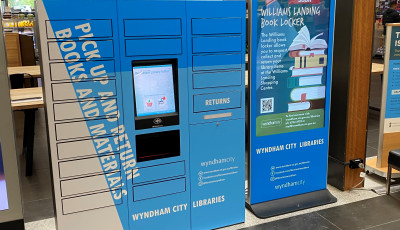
x=145 y=106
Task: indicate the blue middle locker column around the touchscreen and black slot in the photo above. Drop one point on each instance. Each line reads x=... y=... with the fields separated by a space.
x=155 y=30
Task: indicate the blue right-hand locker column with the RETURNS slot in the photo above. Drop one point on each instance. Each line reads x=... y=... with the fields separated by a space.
x=216 y=44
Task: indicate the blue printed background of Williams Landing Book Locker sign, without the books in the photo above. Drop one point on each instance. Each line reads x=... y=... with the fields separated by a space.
x=290 y=162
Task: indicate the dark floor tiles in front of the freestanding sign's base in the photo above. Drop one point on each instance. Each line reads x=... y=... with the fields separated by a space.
x=377 y=213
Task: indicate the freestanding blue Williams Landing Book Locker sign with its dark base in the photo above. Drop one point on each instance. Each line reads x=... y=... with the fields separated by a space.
x=291 y=64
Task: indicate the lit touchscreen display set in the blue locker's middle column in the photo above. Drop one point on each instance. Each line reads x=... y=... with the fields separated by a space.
x=154 y=90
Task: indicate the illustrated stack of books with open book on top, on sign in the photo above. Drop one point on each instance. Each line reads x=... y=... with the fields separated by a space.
x=307 y=80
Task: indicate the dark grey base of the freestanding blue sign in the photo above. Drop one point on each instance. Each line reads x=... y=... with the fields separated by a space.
x=291 y=204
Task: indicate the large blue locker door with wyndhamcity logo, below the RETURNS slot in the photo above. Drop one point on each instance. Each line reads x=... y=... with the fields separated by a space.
x=217 y=169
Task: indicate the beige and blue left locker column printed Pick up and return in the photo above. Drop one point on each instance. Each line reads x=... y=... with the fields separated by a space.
x=84 y=100
